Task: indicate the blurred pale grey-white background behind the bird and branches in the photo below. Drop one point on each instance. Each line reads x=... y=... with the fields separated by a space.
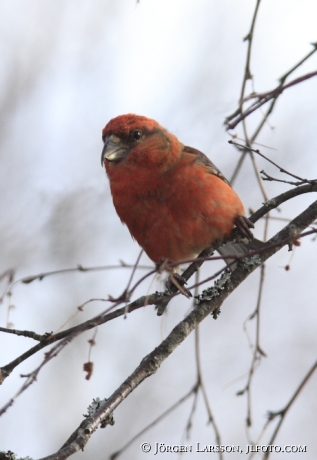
x=67 y=67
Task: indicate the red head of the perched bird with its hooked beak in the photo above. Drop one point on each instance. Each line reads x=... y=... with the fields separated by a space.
x=139 y=141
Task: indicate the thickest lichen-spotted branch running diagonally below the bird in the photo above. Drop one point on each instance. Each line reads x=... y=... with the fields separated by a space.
x=152 y=361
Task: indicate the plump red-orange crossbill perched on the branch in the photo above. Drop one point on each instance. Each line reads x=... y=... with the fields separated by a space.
x=173 y=199
